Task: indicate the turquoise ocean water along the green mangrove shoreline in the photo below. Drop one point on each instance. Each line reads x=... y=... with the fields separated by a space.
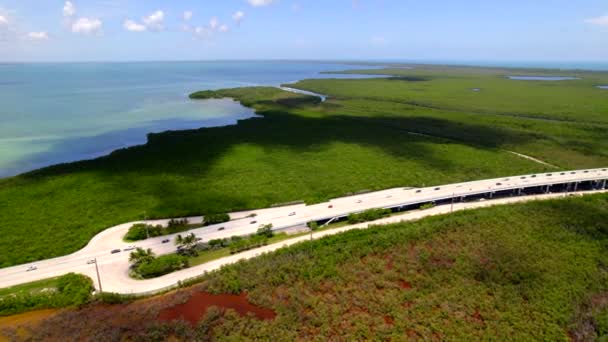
x=54 y=113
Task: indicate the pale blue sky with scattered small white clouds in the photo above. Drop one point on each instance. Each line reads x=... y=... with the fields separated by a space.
x=507 y=30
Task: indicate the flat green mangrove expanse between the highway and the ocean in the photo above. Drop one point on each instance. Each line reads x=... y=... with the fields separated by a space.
x=363 y=138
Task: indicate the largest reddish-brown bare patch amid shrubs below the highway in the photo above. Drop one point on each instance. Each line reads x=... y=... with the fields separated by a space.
x=196 y=307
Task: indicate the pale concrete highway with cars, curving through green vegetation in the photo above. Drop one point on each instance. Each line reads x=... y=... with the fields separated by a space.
x=114 y=267
